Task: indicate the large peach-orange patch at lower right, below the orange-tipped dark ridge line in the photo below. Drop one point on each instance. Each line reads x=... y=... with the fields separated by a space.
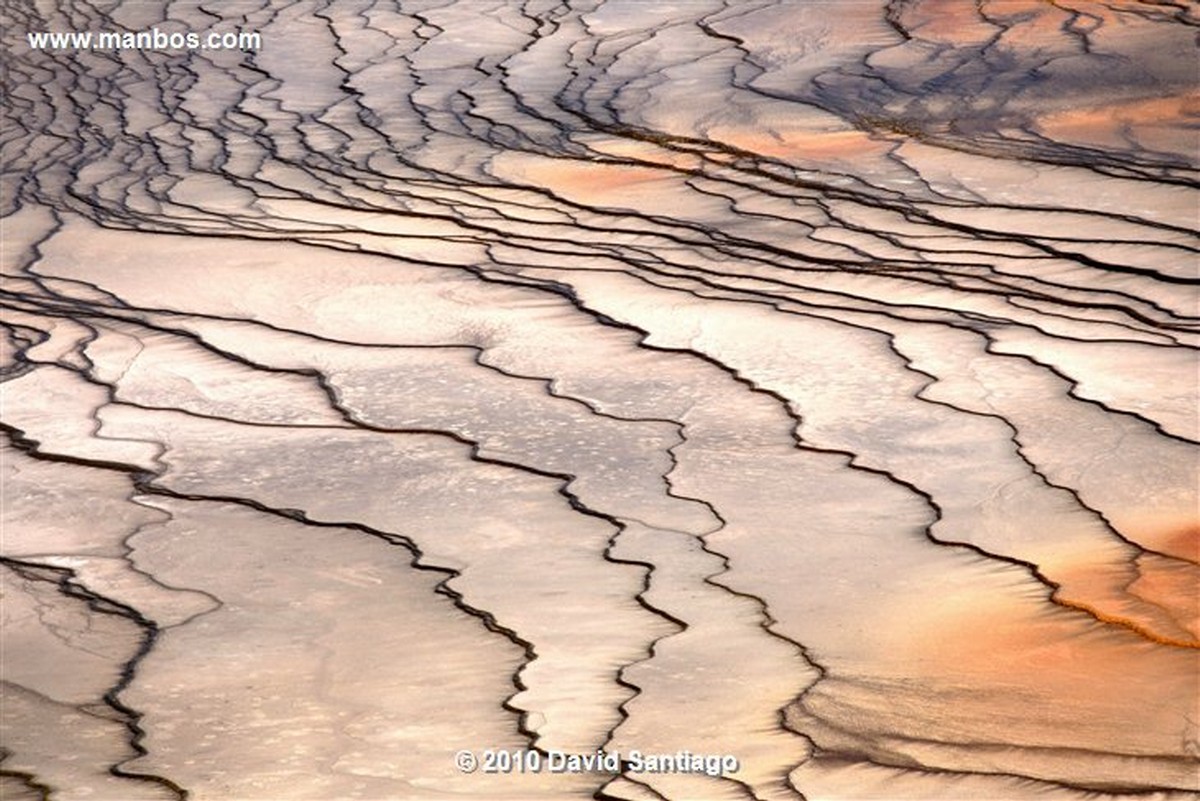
x=1133 y=692
